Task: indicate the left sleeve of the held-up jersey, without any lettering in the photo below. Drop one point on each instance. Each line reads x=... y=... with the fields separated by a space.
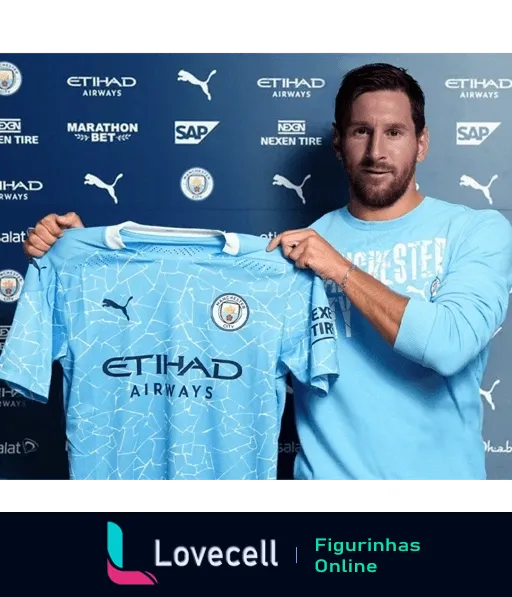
x=37 y=336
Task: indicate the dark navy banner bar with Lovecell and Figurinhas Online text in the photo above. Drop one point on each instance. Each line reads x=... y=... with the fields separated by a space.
x=249 y=553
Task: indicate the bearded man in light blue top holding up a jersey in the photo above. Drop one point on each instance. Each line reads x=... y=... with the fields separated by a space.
x=419 y=287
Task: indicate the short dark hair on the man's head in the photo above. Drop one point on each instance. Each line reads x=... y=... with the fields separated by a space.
x=378 y=77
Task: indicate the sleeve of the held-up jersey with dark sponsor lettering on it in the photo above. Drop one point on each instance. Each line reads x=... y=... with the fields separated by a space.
x=309 y=344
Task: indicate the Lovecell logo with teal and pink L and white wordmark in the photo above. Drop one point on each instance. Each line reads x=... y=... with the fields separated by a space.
x=182 y=556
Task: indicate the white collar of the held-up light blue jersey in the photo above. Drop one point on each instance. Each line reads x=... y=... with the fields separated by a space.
x=113 y=238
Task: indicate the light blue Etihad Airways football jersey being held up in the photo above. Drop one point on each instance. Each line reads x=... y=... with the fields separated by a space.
x=175 y=345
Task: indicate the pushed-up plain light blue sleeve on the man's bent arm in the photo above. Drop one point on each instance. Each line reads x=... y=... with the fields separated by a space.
x=448 y=332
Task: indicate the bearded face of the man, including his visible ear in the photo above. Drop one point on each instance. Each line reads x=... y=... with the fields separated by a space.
x=380 y=147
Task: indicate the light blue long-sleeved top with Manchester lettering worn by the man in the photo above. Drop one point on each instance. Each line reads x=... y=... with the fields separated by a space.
x=412 y=411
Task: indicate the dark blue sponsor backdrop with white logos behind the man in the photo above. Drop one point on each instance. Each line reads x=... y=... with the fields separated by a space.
x=236 y=142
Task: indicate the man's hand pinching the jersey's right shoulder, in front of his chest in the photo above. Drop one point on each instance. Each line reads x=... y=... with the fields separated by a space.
x=309 y=250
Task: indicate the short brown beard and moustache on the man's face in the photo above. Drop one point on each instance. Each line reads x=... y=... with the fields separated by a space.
x=376 y=193
